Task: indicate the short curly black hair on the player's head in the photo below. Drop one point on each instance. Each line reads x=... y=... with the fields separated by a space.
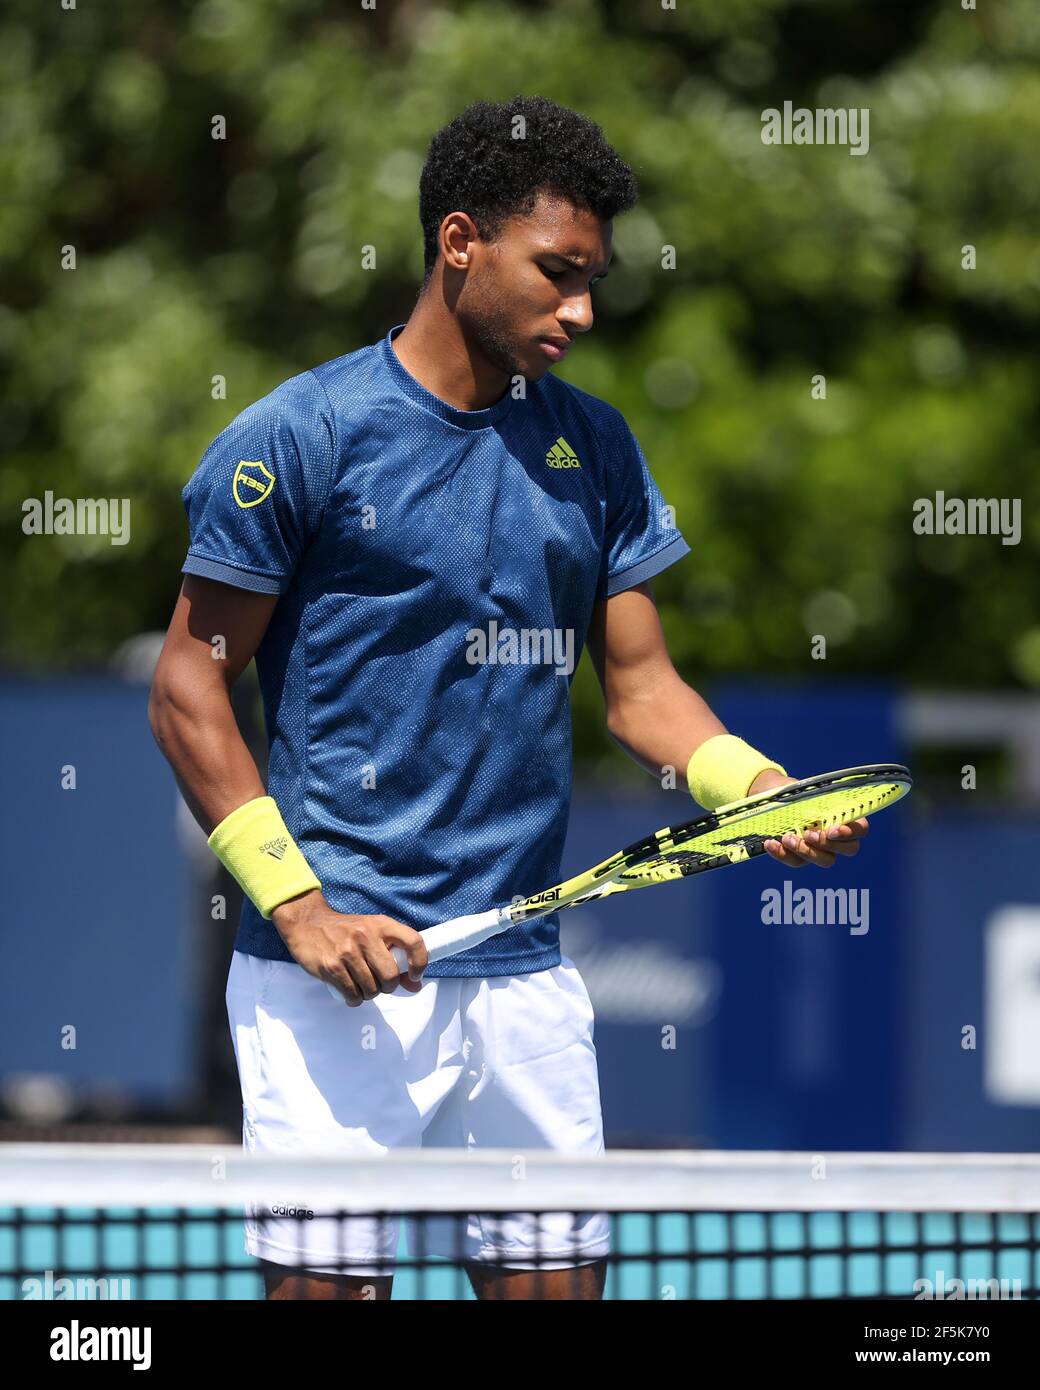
x=479 y=165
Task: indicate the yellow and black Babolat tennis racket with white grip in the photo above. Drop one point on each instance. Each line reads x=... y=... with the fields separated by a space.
x=728 y=836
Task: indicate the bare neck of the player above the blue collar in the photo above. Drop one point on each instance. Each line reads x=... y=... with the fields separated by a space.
x=432 y=350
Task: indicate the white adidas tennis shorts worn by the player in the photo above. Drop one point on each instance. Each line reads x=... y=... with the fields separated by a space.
x=504 y=1063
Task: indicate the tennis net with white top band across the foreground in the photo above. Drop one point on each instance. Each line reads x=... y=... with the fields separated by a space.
x=154 y=1221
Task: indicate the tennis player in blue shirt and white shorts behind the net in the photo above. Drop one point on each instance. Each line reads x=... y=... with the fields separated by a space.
x=416 y=541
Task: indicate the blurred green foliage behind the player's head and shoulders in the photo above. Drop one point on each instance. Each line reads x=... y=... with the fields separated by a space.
x=241 y=259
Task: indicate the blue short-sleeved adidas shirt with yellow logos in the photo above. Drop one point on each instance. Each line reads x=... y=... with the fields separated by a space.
x=437 y=572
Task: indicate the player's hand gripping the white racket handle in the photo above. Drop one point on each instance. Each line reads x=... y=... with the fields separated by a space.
x=350 y=951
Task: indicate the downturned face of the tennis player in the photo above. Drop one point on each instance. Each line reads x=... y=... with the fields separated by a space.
x=526 y=295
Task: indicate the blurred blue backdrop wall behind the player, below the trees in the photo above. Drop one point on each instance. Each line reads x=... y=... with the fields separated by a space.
x=713 y=1027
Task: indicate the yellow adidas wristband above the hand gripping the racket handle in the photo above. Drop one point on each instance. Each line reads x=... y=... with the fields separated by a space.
x=257 y=849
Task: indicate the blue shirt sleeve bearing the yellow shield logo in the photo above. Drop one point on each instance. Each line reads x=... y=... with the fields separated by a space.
x=261 y=490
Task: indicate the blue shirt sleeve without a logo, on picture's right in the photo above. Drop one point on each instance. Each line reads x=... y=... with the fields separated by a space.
x=642 y=536
